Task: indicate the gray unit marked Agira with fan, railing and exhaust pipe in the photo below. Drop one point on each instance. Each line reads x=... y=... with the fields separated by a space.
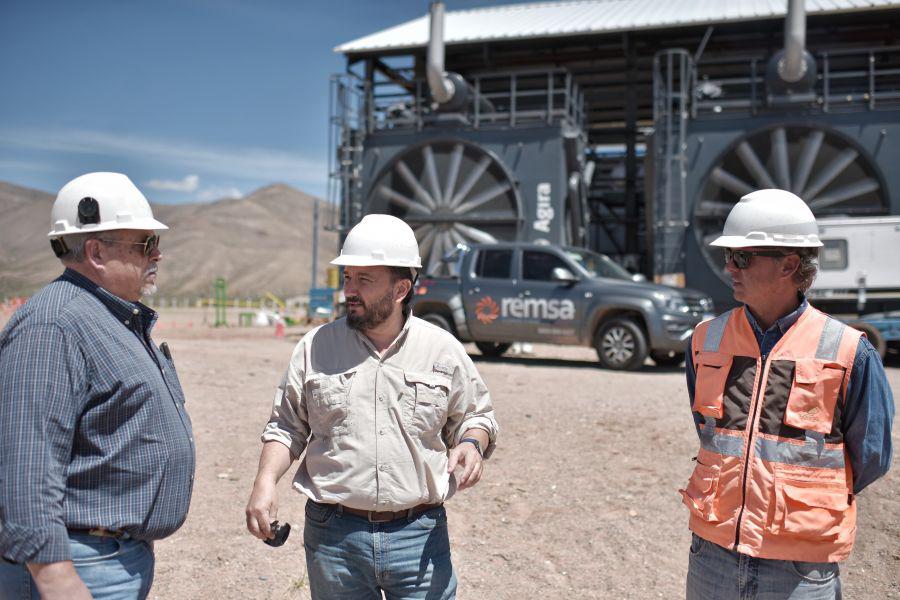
x=492 y=157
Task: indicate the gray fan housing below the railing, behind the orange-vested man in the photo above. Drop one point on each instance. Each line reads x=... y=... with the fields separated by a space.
x=842 y=165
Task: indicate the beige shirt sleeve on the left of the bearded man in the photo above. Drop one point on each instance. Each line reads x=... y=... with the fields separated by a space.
x=288 y=422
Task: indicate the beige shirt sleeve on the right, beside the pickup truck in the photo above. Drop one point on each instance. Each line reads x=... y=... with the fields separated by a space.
x=470 y=406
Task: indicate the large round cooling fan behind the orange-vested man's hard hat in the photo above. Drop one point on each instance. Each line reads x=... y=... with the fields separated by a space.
x=828 y=170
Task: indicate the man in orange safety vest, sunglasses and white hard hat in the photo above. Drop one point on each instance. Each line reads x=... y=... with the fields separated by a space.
x=794 y=414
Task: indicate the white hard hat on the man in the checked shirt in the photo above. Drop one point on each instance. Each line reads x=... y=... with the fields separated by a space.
x=100 y=202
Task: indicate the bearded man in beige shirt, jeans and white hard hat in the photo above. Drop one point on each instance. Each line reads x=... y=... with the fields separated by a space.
x=393 y=419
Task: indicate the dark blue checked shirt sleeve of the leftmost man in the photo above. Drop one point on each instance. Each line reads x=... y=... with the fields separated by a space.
x=43 y=383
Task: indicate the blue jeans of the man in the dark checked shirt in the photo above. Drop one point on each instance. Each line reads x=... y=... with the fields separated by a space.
x=111 y=569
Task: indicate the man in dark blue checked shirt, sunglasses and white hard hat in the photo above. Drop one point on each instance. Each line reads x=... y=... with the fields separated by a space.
x=96 y=450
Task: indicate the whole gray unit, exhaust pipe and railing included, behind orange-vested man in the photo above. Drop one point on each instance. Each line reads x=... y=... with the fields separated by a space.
x=824 y=126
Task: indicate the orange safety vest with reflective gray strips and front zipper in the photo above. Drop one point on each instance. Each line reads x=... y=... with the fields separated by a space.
x=773 y=479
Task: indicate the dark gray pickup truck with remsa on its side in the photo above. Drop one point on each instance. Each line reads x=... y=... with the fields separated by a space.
x=523 y=292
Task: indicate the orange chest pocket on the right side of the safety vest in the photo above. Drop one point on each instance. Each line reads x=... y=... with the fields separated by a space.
x=814 y=394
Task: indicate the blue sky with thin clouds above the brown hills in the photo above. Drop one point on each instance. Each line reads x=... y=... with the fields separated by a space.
x=195 y=100
